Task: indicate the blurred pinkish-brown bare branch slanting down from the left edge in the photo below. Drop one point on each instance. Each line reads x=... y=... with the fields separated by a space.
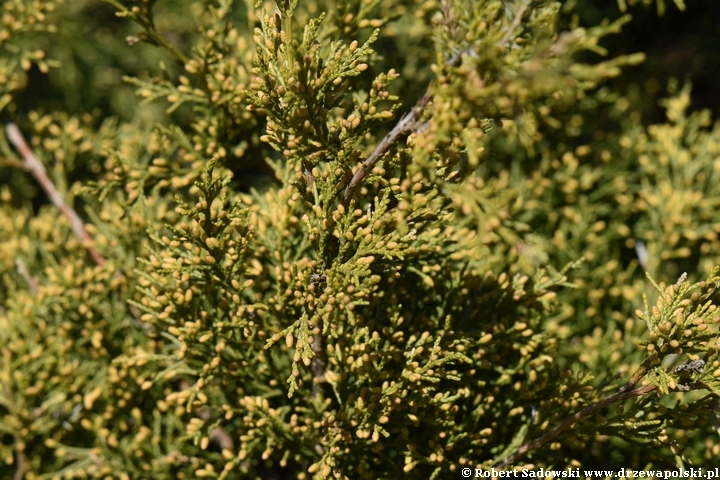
x=35 y=167
